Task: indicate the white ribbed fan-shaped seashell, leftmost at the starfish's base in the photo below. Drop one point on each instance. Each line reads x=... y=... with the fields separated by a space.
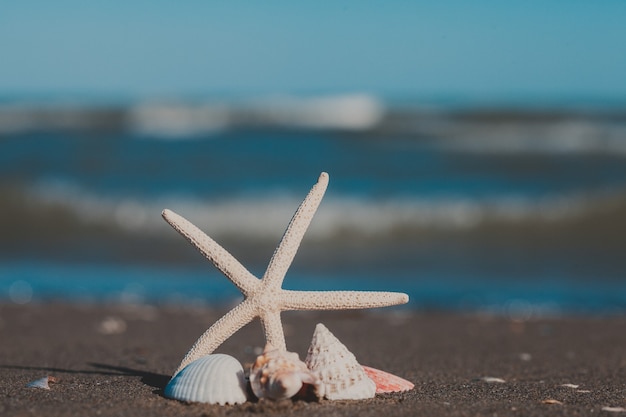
x=213 y=379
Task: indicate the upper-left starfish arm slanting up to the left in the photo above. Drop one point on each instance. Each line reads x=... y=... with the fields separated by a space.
x=224 y=261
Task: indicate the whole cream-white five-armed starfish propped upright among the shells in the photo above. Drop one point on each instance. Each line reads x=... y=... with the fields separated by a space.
x=264 y=298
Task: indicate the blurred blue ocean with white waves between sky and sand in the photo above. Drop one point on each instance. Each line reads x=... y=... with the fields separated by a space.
x=518 y=211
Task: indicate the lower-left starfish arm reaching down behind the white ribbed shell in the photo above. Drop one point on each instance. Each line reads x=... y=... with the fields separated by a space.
x=221 y=330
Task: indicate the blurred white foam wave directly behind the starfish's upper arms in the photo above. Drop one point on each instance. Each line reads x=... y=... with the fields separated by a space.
x=267 y=217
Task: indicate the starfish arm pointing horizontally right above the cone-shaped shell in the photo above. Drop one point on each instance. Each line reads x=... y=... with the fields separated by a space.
x=340 y=300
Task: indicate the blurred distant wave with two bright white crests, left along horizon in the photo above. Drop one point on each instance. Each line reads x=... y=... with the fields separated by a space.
x=182 y=119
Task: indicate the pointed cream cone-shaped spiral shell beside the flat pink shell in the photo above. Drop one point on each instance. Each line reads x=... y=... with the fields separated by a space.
x=341 y=375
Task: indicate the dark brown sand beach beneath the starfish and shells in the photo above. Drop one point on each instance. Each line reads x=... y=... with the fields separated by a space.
x=446 y=356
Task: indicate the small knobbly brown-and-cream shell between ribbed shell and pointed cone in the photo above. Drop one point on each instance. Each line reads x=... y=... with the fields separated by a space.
x=278 y=374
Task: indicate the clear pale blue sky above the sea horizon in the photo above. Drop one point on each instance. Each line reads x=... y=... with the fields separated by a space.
x=467 y=49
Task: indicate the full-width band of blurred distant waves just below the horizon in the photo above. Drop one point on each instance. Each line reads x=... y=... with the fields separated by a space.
x=470 y=130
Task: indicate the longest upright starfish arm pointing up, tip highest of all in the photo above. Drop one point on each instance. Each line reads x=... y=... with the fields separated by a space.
x=286 y=251
